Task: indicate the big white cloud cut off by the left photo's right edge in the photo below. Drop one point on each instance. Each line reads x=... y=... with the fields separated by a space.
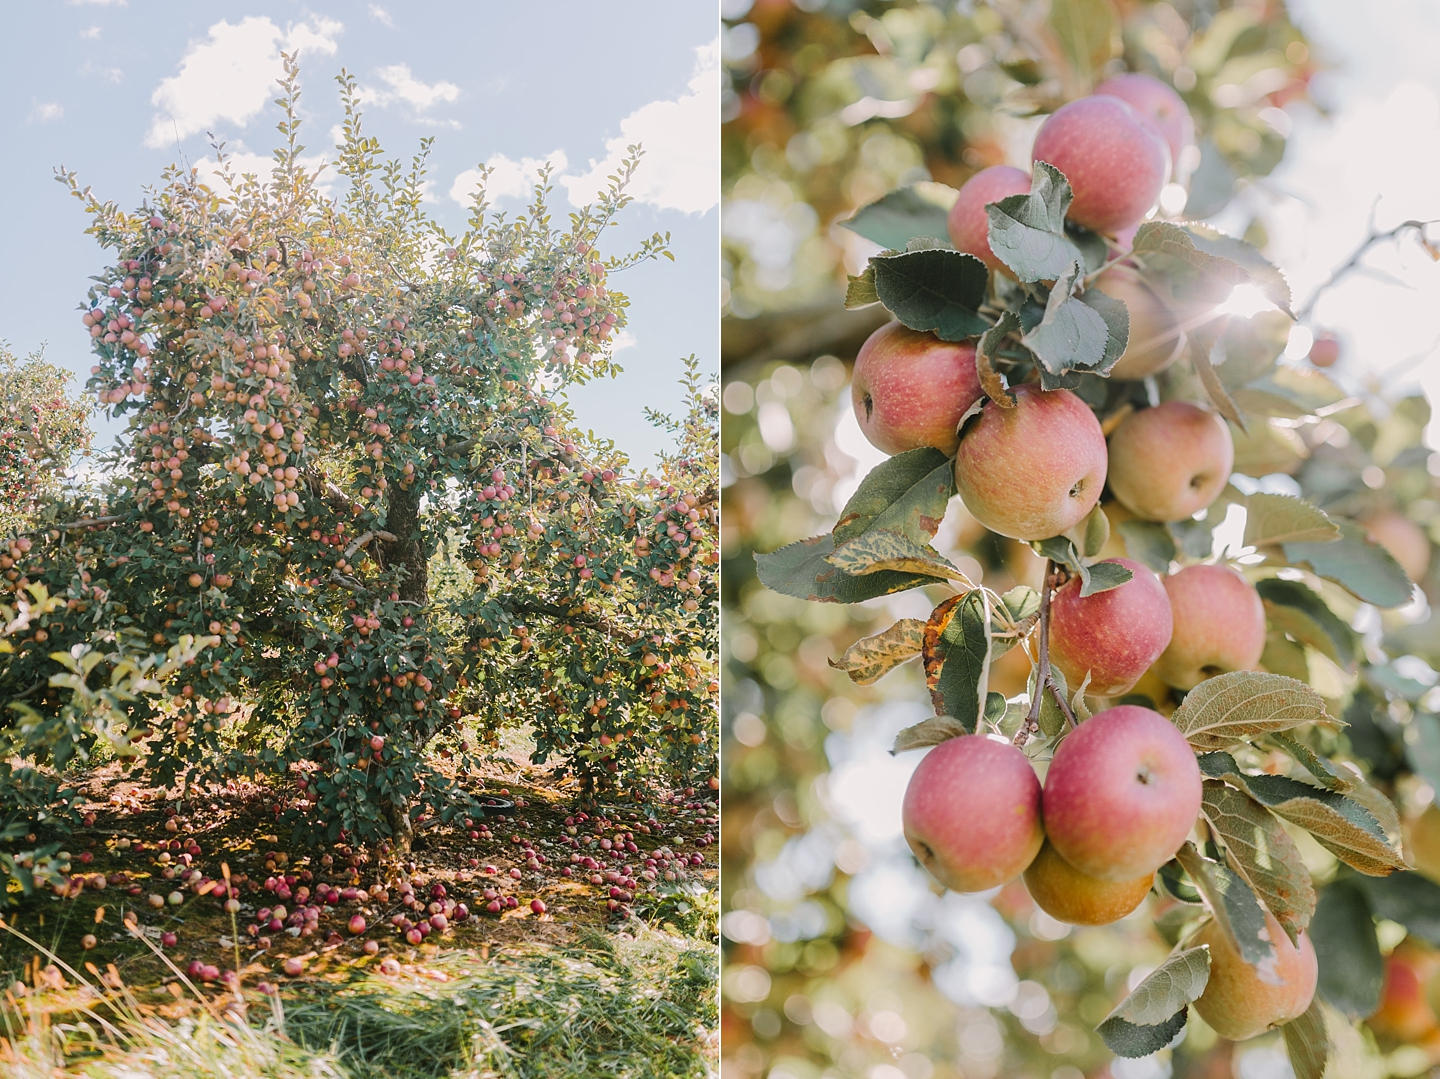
x=682 y=140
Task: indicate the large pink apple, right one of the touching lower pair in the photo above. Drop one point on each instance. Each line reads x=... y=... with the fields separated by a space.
x=1122 y=794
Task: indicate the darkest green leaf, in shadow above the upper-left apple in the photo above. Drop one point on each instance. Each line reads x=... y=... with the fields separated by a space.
x=935 y=290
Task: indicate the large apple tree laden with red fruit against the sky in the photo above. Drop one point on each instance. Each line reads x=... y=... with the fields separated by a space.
x=348 y=466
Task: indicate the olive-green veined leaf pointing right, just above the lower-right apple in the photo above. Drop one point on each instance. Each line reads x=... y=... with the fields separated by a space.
x=1241 y=705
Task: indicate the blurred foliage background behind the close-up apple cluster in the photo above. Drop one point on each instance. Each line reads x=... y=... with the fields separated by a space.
x=840 y=959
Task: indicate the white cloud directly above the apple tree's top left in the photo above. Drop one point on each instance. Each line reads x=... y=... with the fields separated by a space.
x=231 y=76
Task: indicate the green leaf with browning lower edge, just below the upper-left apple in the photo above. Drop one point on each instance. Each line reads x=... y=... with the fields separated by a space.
x=908 y=493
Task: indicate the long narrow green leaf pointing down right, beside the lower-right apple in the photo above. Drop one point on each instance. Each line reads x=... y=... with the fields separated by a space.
x=1341 y=825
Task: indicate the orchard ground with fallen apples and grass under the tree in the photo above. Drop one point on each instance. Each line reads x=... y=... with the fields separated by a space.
x=574 y=992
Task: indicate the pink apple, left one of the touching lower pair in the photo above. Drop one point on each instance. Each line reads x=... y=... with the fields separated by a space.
x=971 y=813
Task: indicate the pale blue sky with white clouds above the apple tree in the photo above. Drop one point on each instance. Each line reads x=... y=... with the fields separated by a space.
x=119 y=90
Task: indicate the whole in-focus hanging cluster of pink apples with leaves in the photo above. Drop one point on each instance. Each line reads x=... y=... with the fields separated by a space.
x=1062 y=361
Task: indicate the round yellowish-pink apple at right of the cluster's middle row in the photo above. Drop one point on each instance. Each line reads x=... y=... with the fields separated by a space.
x=1170 y=462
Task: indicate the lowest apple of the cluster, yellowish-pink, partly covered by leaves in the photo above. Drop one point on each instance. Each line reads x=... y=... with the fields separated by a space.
x=1242 y=1000
